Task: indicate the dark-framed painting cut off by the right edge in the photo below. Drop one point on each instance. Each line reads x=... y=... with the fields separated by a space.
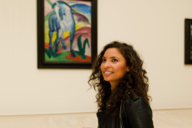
x=188 y=41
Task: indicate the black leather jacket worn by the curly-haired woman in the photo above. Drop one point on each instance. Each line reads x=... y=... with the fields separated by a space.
x=135 y=113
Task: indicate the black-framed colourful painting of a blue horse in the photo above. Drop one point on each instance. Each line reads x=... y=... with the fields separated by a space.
x=67 y=33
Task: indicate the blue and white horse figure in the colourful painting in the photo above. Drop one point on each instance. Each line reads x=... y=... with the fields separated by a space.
x=60 y=22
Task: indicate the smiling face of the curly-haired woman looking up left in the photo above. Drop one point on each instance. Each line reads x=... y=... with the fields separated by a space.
x=113 y=66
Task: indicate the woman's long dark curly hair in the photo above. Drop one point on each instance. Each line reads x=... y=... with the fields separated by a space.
x=134 y=83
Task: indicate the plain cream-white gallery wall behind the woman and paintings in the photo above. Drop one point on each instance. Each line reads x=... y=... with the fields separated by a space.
x=154 y=27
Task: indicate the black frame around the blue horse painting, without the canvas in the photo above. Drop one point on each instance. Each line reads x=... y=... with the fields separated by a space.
x=41 y=63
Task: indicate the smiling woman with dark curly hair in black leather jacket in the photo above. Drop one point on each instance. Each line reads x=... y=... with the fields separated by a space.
x=122 y=87
